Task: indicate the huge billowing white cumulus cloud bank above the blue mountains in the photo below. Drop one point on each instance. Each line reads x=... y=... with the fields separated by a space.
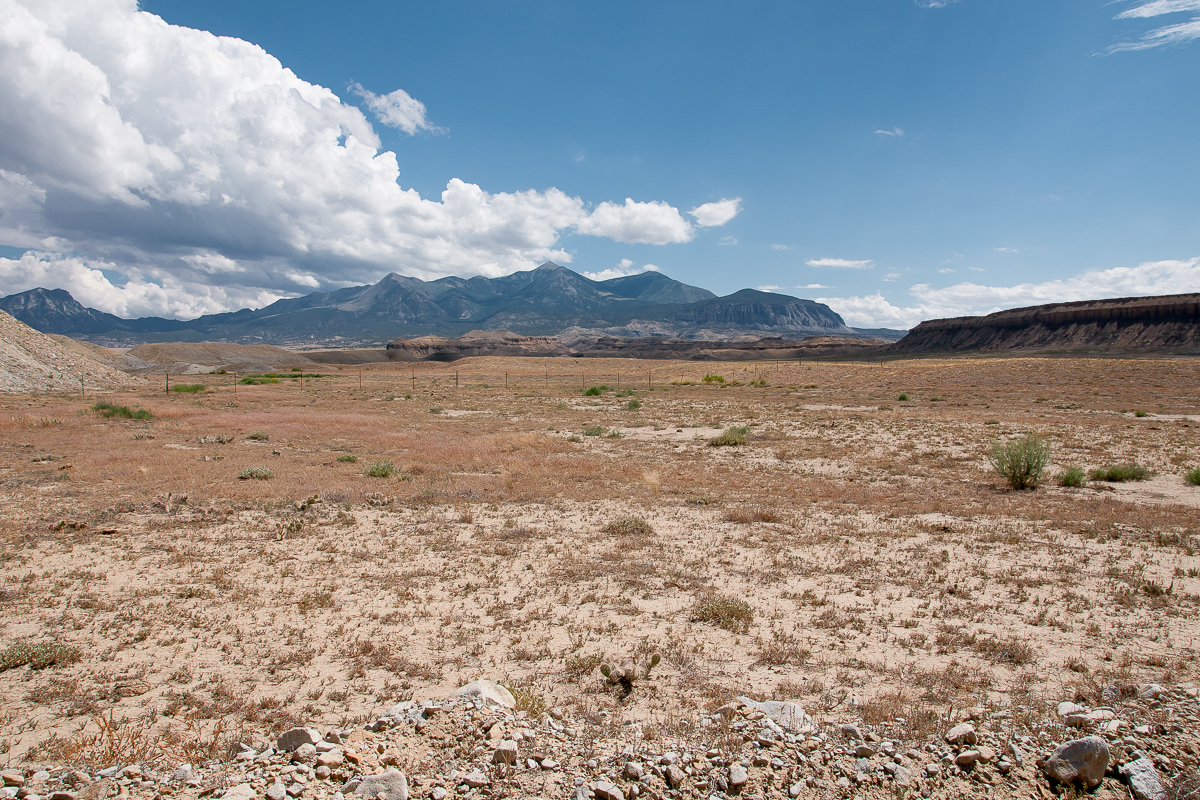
x=195 y=173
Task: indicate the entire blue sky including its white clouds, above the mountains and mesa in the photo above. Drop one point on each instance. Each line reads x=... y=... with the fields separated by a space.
x=898 y=160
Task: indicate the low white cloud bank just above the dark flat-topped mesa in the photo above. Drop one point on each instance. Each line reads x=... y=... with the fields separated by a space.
x=970 y=299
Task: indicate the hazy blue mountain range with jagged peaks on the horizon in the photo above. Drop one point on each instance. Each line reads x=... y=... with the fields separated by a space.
x=548 y=302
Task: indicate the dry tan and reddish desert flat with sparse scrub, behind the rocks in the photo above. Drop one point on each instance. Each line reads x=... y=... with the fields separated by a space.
x=856 y=554
